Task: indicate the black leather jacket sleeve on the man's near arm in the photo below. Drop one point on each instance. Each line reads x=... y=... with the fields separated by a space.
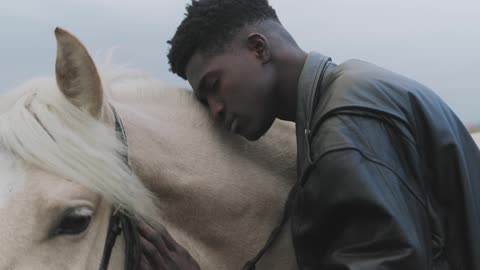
x=354 y=212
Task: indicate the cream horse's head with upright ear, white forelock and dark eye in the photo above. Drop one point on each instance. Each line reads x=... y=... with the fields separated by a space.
x=62 y=170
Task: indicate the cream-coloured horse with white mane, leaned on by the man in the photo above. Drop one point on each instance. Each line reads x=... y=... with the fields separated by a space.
x=219 y=195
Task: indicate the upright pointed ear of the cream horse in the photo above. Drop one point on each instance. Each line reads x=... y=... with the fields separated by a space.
x=76 y=74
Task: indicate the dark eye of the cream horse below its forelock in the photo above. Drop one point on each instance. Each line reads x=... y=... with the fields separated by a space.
x=74 y=221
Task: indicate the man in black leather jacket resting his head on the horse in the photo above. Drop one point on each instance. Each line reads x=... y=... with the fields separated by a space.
x=388 y=177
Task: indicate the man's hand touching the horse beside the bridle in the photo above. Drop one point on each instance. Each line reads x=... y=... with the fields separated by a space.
x=161 y=252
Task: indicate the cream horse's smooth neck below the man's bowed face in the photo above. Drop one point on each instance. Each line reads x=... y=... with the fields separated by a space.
x=209 y=181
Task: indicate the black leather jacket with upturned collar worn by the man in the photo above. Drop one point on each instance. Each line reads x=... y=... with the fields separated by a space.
x=389 y=178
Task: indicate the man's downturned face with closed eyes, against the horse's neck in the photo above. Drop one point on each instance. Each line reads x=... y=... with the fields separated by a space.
x=237 y=87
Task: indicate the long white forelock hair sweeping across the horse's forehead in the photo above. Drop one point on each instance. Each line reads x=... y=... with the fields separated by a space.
x=40 y=126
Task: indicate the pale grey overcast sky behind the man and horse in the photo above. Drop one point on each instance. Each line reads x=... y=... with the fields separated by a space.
x=436 y=42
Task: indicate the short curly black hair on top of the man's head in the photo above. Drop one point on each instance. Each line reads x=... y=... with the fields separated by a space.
x=211 y=25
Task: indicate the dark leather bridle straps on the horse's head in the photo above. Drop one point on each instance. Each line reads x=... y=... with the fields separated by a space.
x=120 y=220
